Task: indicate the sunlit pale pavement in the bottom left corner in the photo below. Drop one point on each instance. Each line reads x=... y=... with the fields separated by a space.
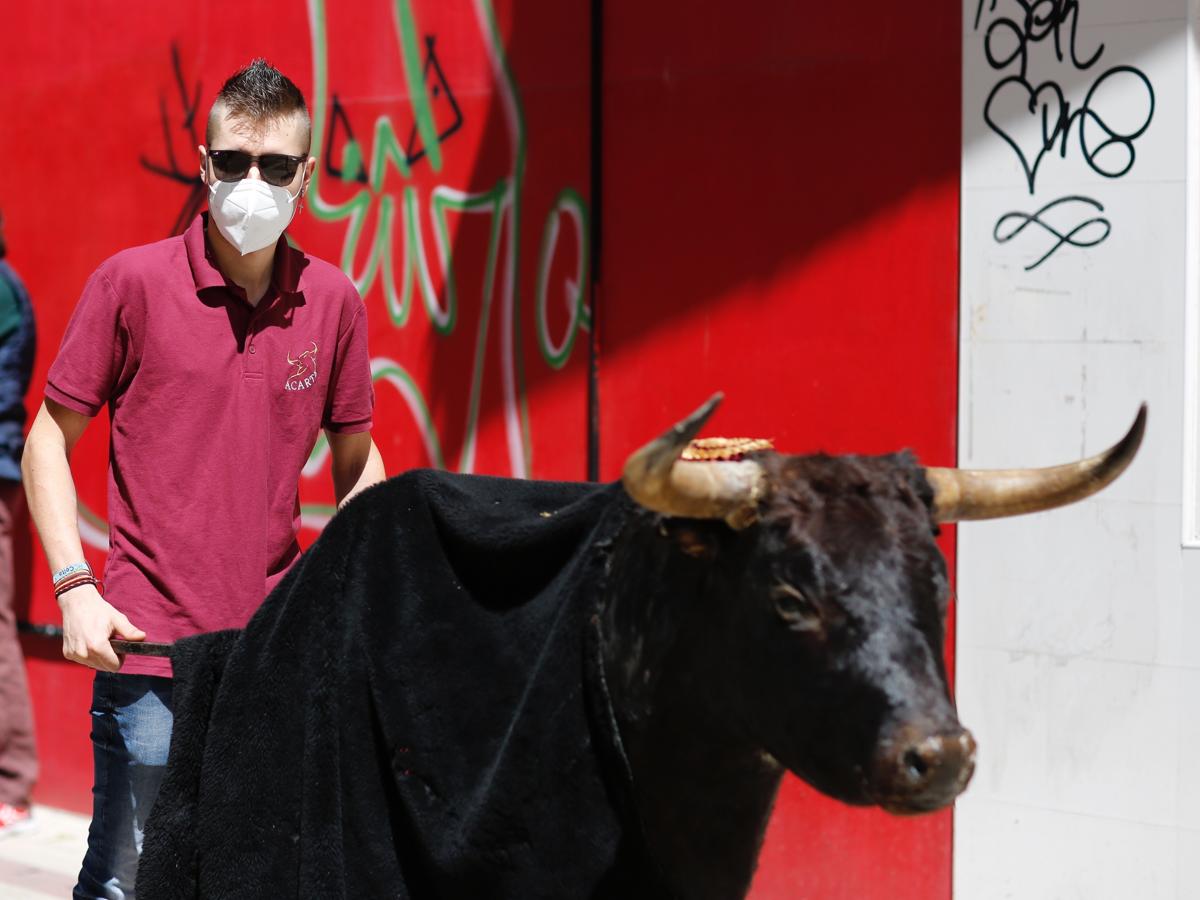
x=44 y=862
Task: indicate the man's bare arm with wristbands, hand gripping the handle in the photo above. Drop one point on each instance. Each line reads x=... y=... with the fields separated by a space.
x=88 y=621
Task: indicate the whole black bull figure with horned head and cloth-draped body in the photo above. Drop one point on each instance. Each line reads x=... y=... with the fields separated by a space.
x=752 y=616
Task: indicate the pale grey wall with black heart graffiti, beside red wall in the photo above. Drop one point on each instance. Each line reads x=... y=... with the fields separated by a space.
x=1079 y=670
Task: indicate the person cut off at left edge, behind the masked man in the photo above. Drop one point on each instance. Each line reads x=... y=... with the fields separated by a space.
x=19 y=754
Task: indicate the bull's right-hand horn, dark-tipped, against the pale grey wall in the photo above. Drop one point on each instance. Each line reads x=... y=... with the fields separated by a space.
x=965 y=495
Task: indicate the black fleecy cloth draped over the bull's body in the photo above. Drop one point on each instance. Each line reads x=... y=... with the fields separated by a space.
x=418 y=711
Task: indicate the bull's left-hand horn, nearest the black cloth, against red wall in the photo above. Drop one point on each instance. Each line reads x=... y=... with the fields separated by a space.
x=658 y=479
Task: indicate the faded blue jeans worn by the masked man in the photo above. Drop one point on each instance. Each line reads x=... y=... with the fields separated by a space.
x=131 y=722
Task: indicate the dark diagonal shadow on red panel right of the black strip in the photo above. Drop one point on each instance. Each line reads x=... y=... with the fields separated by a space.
x=739 y=147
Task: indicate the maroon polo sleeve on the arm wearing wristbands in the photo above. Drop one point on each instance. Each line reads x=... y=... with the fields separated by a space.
x=94 y=355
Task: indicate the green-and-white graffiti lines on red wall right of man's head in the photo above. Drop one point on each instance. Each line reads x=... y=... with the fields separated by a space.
x=367 y=260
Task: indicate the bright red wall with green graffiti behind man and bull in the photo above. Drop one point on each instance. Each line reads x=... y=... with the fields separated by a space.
x=779 y=217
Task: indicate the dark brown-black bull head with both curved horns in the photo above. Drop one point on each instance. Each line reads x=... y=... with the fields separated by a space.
x=839 y=591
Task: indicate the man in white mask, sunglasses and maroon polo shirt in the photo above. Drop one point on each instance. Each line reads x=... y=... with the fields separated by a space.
x=220 y=353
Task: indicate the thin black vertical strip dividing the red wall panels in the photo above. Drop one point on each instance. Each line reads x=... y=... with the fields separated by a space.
x=596 y=197
